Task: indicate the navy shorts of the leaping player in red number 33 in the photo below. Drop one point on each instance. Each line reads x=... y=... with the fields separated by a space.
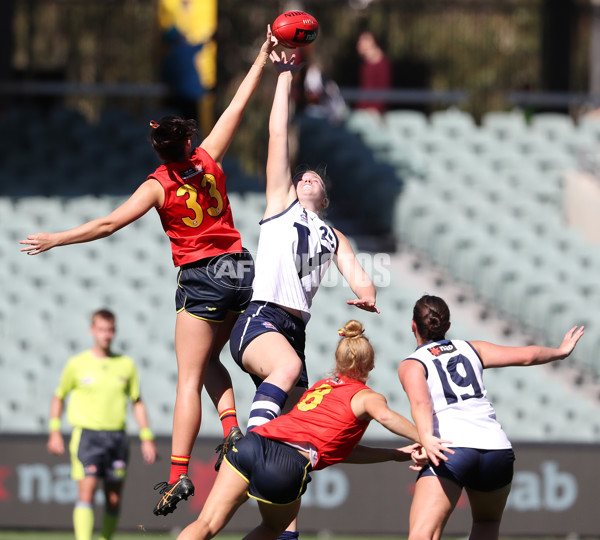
x=209 y=288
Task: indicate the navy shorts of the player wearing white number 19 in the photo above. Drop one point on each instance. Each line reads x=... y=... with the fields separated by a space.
x=482 y=470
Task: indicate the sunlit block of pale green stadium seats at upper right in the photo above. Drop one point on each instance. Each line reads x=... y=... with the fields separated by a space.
x=517 y=204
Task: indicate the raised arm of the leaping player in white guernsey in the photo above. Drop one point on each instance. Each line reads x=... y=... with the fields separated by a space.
x=280 y=192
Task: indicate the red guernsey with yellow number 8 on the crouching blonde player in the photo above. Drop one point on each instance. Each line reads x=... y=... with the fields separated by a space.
x=323 y=418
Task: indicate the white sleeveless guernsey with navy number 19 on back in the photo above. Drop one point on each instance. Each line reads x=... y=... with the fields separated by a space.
x=461 y=412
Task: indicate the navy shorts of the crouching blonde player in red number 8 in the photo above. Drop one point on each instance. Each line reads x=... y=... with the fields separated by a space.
x=276 y=473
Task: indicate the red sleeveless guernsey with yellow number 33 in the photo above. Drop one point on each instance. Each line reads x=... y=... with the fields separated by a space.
x=196 y=215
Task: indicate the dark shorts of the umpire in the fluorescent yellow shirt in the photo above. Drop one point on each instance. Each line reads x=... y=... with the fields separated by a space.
x=99 y=453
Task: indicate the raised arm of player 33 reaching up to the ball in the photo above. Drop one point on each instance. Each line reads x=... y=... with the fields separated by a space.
x=218 y=140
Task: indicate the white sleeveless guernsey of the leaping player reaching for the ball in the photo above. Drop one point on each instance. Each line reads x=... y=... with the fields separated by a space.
x=295 y=249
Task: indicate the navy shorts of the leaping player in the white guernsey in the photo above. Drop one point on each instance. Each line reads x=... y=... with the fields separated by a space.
x=260 y=318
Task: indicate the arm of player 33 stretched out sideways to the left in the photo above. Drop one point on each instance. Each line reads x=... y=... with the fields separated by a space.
x=149 y=194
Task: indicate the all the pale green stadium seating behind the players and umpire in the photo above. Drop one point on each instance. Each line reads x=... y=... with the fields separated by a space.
x=482 y=202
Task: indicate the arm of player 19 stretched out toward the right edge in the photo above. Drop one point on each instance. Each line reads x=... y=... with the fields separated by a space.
x=499 y=356
